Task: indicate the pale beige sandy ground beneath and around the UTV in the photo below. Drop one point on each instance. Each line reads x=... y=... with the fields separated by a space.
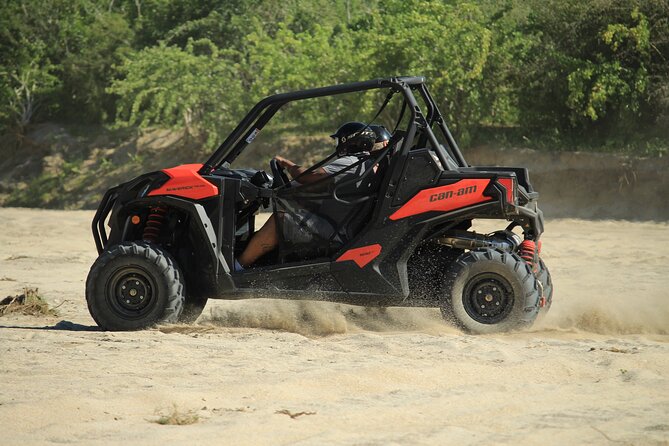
x=594 y=371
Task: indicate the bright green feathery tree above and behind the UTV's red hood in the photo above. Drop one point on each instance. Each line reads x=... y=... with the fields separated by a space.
x=195 y=89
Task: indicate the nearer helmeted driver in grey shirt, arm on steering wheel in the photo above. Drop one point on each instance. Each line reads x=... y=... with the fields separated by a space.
x=354 y=142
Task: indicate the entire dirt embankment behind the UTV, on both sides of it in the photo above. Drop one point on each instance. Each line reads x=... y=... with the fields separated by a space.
x=63 y=169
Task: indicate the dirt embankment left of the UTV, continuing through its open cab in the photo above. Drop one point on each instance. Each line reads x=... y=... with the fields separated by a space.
x=59 y=168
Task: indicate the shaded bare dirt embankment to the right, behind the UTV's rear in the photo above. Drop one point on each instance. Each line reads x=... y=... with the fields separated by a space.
x=589 y=185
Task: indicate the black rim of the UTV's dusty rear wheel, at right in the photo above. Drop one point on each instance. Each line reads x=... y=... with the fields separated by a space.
x=488 y=298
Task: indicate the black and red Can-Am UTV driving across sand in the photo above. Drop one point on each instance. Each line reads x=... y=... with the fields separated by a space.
x=174 y=235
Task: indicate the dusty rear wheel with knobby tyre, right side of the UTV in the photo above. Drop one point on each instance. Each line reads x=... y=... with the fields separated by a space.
x=489 y=291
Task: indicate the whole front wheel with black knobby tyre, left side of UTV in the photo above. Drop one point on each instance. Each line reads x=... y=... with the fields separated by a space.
x=133 y=286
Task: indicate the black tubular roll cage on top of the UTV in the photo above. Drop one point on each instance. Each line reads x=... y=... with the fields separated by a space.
x=421 y=121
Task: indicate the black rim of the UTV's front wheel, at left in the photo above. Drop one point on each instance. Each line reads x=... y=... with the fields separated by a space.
x=131 y=292
